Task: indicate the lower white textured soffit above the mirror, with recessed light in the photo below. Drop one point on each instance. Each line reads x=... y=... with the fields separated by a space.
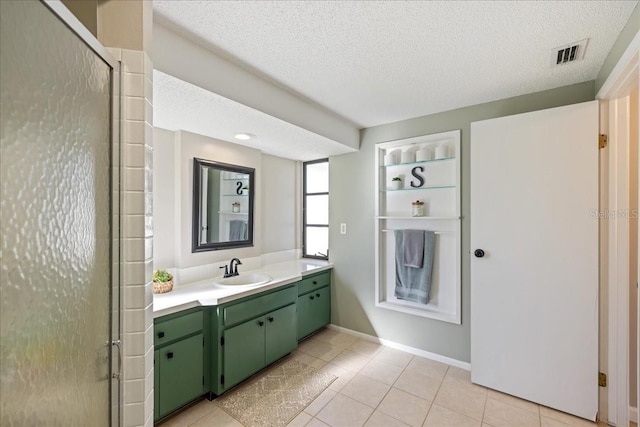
x=179 y=105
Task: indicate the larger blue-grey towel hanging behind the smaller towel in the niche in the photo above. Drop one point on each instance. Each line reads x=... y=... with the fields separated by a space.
x=413 y=284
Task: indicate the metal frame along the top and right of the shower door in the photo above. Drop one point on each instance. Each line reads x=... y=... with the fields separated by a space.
x=115 y=354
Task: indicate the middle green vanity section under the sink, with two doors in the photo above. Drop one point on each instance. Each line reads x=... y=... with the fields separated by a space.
x=252 y=332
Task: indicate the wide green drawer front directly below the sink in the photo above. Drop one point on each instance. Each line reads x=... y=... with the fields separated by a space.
x=245 y=310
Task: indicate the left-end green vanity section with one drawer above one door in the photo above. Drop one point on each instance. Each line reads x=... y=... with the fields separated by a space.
x=179 y=360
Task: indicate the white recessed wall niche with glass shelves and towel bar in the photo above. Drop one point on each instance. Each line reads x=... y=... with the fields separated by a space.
x=394 y=212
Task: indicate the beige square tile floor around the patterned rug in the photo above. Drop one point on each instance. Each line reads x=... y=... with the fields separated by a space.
x=381 y=386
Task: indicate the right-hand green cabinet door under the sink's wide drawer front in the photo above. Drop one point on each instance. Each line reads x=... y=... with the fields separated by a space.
x=281 y=333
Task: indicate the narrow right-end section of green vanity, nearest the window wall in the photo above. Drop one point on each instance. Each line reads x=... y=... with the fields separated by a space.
x=314 y=303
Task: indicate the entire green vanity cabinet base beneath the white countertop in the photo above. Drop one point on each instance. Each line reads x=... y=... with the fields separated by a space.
x=208 y=350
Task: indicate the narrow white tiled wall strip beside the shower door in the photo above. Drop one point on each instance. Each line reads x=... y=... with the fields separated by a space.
x=137 y=238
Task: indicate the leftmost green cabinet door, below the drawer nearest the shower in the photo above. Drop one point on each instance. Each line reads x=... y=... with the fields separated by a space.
x=181 y=373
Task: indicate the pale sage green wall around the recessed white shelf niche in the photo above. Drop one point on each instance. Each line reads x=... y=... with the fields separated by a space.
x=352 y=180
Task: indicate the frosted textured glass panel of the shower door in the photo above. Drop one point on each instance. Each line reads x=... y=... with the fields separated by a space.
x=58 y=236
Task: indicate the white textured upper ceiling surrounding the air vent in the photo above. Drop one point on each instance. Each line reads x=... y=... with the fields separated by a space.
x=376 y=62
